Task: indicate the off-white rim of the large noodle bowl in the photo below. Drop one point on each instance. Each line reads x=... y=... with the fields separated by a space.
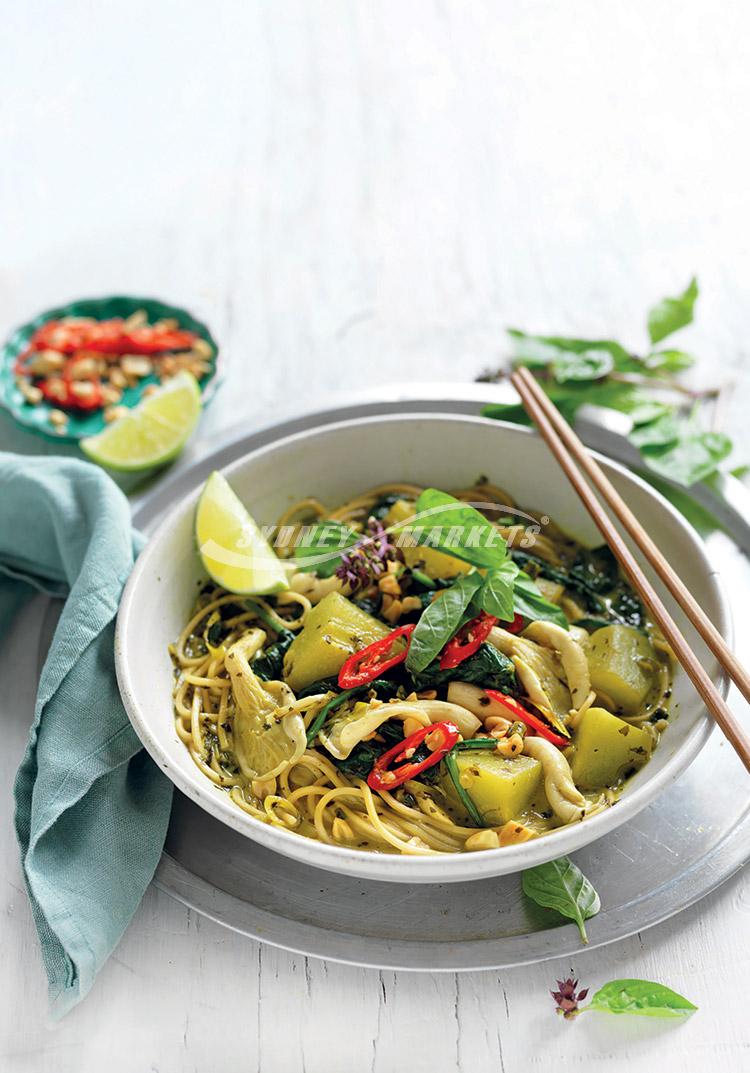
x=399 y=868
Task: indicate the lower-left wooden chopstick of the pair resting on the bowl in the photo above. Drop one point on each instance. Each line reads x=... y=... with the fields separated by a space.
x=539 y=408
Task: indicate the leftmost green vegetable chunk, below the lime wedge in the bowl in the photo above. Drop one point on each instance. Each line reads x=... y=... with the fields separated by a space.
x=334 y=630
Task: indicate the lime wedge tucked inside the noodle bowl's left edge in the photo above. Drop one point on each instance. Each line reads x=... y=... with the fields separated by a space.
x=236 y=554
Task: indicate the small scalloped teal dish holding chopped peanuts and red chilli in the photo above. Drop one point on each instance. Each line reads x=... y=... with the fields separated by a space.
x=36 y=419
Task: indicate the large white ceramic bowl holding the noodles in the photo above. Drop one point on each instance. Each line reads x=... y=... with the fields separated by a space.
x=335 y=463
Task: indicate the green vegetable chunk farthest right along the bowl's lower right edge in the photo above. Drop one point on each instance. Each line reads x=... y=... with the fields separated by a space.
x=606 y=747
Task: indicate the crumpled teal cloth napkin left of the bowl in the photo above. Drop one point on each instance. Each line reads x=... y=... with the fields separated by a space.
x=92 y=807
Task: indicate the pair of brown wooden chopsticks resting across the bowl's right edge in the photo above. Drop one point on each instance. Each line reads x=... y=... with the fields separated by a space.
x=576 y=461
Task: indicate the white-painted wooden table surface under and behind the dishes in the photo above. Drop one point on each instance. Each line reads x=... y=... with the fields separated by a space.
x=351 y=194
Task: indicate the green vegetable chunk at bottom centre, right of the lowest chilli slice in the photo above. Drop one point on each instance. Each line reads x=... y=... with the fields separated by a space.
x=502 y=788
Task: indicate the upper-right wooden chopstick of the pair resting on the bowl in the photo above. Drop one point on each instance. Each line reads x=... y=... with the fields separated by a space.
x=687 y=601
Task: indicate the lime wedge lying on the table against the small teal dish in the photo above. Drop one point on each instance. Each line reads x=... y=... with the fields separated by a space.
x=153 y=433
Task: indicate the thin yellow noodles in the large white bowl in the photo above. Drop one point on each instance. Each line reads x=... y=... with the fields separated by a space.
x=314 y=796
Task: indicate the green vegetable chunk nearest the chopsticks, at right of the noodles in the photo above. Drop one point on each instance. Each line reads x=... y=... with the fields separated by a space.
x=616 y=655
